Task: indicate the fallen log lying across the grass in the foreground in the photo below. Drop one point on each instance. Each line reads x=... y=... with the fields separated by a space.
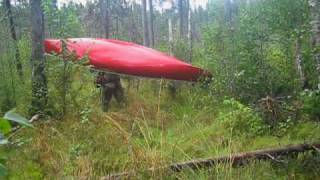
x=238 y=159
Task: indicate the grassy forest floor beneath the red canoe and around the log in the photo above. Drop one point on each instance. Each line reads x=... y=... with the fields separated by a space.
x=151 y=131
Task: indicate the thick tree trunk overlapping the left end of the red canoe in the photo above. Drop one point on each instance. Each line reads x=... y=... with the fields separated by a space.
x=39 y=80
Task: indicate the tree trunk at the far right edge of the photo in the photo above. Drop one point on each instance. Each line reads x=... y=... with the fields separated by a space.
x=315 y=25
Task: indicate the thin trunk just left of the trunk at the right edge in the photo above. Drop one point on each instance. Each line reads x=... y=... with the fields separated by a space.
x=298 y=63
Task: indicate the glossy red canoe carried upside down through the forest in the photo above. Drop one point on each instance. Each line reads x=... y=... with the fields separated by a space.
x=127 y=58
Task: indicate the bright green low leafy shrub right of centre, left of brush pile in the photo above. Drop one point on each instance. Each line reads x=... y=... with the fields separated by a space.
x=240 y=119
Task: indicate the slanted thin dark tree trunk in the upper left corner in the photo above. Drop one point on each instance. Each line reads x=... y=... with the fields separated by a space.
x=14 y=38
